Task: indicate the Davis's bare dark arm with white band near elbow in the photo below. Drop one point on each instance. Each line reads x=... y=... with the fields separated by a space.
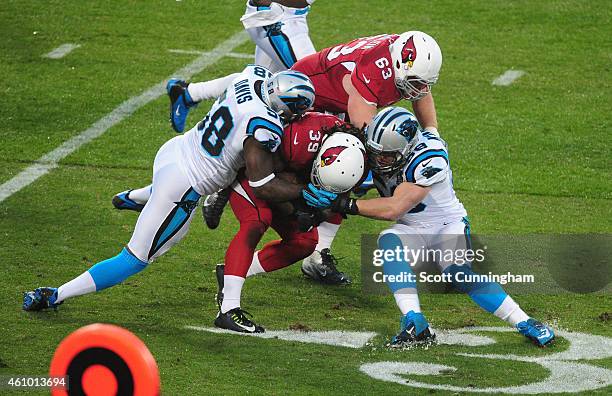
x=260 y=171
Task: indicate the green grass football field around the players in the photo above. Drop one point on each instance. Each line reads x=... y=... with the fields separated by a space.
x=533 y=157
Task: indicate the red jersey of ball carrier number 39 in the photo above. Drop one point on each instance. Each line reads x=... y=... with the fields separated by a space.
x=302 y=139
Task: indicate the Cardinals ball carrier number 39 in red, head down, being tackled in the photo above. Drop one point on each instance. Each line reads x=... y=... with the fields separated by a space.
x=339 y=165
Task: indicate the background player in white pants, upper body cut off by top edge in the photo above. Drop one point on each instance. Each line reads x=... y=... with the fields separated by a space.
x=279 y=30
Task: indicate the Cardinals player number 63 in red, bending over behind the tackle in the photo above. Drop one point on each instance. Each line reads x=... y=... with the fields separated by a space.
x=355 y=79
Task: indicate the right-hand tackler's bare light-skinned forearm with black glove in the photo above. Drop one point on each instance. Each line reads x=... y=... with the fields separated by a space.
x=406 y=196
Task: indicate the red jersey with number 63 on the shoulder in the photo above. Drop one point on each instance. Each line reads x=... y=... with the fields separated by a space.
x=367 y=60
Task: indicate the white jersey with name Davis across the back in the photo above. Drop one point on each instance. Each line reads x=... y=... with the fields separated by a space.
x=211 y=153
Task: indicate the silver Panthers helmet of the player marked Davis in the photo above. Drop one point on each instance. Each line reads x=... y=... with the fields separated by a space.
x=290 y=94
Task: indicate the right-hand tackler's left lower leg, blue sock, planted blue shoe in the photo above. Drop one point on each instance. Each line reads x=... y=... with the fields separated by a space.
x=413 y=325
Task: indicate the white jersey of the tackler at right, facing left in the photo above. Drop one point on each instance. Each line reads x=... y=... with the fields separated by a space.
x=427 y=166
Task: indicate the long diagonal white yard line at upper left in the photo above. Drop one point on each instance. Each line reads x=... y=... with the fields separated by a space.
x=50 y=160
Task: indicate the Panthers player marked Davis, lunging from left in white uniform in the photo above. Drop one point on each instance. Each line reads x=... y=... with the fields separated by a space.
x=242 y=129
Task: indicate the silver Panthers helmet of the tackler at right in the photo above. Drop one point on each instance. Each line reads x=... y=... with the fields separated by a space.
x=389 y=138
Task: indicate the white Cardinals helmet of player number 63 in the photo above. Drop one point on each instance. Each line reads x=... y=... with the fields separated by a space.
x=416 y=59
